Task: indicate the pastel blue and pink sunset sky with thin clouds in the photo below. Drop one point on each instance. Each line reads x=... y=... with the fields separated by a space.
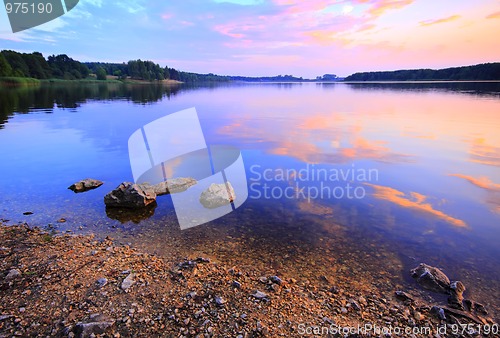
x=271 y=37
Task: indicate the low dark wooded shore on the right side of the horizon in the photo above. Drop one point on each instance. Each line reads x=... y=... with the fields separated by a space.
x=485 y=71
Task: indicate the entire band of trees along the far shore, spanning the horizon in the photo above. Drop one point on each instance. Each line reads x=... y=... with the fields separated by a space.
x=34 y=65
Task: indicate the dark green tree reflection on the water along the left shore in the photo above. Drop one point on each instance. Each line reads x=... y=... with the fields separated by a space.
x=72 y=95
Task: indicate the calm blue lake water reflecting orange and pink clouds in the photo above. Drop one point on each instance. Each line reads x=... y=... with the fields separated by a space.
x=411 y=168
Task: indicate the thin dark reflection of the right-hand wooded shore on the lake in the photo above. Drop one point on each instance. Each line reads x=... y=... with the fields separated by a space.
x=471 y=88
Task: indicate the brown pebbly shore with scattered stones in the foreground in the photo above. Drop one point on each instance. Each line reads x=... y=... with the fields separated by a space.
x=77 y=286
